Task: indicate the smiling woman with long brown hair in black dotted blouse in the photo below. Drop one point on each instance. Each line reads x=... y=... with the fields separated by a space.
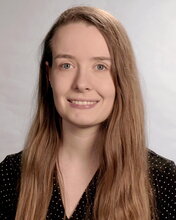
x=85 y=155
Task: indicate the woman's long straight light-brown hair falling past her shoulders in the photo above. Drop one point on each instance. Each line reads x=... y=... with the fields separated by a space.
x=124 y=191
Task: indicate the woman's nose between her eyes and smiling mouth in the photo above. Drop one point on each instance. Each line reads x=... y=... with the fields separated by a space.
x=82 y=81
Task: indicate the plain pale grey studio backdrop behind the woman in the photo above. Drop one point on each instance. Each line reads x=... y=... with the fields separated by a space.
x=151 y=26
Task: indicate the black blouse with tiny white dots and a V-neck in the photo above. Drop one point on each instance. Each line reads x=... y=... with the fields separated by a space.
x=162 y=174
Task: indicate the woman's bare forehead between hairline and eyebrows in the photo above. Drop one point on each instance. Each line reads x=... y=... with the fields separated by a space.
x=79 y=37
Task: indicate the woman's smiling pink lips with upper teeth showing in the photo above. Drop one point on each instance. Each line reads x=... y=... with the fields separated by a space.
x=82 y=104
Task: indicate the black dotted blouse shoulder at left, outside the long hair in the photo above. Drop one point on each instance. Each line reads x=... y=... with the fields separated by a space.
x=9 y=182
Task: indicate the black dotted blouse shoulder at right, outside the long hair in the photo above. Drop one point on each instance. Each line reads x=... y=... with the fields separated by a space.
x=163 y=177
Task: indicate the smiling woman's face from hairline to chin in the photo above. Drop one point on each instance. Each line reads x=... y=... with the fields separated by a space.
x=80 y=75
